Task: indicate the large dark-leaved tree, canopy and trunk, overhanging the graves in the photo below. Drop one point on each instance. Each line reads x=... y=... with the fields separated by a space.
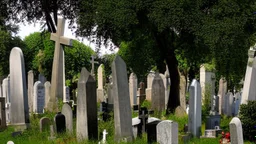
x=200 y=30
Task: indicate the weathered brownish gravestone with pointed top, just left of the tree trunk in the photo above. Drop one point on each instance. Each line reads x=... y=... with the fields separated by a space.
x=158 y=94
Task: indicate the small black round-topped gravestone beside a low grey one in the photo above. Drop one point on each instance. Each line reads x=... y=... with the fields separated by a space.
x=60 y=122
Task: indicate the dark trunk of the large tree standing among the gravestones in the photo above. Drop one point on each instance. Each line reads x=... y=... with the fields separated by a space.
x=174 y=95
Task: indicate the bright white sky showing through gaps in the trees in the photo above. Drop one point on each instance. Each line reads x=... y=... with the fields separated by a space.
x=26 y=29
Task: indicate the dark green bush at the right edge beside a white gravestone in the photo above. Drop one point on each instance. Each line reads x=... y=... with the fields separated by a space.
x=247 y=116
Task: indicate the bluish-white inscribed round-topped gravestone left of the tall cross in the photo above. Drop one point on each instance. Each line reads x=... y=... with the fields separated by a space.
x=39 y=98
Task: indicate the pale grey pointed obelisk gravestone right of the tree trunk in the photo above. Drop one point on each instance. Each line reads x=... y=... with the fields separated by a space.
x=195 y=109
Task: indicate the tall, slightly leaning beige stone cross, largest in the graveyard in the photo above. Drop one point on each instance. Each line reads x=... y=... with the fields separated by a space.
x=58 y=69
